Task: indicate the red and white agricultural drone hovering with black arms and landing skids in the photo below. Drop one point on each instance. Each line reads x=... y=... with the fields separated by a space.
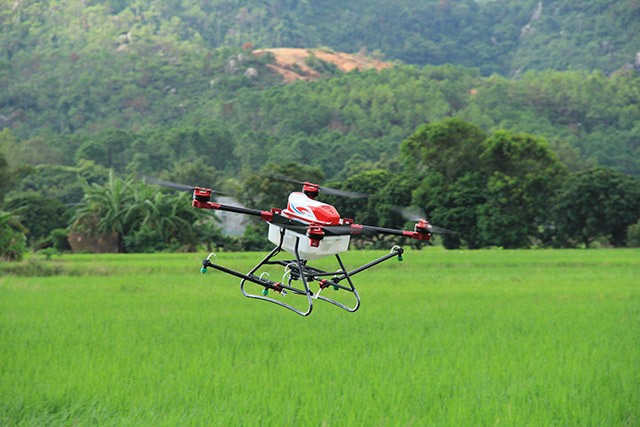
x=307 y=230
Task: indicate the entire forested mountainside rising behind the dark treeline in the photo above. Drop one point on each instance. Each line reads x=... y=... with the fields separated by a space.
x=175 y=89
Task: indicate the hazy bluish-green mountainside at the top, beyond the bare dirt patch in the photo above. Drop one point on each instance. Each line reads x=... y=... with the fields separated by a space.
x=503 y=36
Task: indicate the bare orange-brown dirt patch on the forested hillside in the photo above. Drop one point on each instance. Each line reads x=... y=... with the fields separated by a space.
x=292 y=64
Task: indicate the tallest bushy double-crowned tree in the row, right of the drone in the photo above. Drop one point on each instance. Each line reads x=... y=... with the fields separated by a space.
x=492 y=191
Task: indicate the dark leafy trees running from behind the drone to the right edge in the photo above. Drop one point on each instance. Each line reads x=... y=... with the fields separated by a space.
x=506 y=189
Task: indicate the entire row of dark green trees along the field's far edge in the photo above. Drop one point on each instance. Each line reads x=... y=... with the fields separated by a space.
x=505 y=189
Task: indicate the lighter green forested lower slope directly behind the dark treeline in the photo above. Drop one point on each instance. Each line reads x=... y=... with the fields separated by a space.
x=341 y=122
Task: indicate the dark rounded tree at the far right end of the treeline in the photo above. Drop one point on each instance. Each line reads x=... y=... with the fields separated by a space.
x=599 y=202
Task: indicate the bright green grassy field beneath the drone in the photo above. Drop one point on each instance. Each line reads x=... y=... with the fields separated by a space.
x=443 y=338
